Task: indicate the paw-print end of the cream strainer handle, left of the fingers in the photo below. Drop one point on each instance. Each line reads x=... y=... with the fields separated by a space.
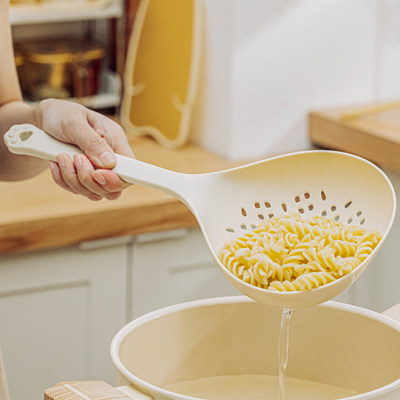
x=29 y=140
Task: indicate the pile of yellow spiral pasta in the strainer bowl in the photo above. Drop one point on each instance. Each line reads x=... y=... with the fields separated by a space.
x=290 y=253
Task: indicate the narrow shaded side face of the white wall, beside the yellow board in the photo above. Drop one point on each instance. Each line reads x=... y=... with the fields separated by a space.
x=211 y=127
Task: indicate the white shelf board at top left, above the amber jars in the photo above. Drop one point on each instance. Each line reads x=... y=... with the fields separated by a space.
x=64 y=11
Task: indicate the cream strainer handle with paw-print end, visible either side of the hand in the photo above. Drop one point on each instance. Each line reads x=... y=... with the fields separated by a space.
x=29 y=140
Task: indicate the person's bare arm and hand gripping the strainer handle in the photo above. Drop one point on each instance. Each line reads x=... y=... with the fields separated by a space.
x=98 y=136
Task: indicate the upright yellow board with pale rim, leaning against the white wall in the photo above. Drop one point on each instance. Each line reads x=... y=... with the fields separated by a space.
x=162 y=70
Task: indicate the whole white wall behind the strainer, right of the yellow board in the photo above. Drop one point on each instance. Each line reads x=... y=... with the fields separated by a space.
x=267 y=63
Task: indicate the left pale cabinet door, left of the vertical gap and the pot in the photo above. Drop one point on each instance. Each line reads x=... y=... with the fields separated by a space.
x=58 y=313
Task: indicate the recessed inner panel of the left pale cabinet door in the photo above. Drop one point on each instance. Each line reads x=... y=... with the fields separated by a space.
x=36 y=329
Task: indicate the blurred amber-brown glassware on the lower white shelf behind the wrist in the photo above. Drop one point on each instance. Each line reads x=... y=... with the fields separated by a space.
x=67 y=68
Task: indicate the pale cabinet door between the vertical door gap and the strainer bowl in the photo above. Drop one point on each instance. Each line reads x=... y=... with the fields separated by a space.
x=172 y=270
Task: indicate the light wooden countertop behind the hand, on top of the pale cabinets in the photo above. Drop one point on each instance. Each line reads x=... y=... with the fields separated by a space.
x=37 y=214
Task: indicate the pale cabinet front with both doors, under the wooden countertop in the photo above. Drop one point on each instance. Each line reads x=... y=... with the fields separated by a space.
x=60 y=309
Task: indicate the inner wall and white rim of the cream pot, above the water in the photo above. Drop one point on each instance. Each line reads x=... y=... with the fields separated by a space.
x=332 y=343
